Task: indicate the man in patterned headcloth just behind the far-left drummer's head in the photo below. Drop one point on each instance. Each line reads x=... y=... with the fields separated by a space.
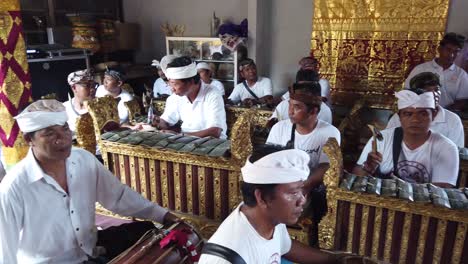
x=83 y=87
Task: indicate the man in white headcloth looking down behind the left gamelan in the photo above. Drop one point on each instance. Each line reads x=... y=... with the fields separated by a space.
x=199 y=106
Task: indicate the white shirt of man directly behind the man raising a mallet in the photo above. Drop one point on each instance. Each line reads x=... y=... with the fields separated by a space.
x=445 y=122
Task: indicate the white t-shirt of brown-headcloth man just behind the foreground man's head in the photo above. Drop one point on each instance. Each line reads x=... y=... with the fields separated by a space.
x=311 y=143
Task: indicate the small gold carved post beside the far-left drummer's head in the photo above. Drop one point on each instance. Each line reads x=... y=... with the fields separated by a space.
x=85 y=133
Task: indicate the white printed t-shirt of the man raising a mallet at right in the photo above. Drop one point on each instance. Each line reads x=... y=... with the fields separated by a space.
x=436 y=160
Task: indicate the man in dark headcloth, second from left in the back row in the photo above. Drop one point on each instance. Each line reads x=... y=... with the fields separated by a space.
x=113 y=82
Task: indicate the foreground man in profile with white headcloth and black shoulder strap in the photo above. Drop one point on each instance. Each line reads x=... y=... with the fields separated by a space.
x=255 y=231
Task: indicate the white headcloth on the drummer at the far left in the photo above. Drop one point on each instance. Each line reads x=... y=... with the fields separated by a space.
x=42 y=114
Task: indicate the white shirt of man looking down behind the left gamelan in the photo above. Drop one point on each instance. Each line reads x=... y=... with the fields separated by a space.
x=207 y=110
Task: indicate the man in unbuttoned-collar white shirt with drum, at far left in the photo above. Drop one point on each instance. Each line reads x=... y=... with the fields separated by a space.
x=47 y=201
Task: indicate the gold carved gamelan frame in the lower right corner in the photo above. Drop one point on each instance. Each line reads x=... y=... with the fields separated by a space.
x=389 y=229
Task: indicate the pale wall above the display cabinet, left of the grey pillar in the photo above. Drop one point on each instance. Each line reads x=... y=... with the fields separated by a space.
x=194 y=14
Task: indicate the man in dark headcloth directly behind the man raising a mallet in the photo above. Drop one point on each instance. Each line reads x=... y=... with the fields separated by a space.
x=445 y=122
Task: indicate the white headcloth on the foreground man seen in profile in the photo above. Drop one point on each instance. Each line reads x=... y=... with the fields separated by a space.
x=280 y=167
